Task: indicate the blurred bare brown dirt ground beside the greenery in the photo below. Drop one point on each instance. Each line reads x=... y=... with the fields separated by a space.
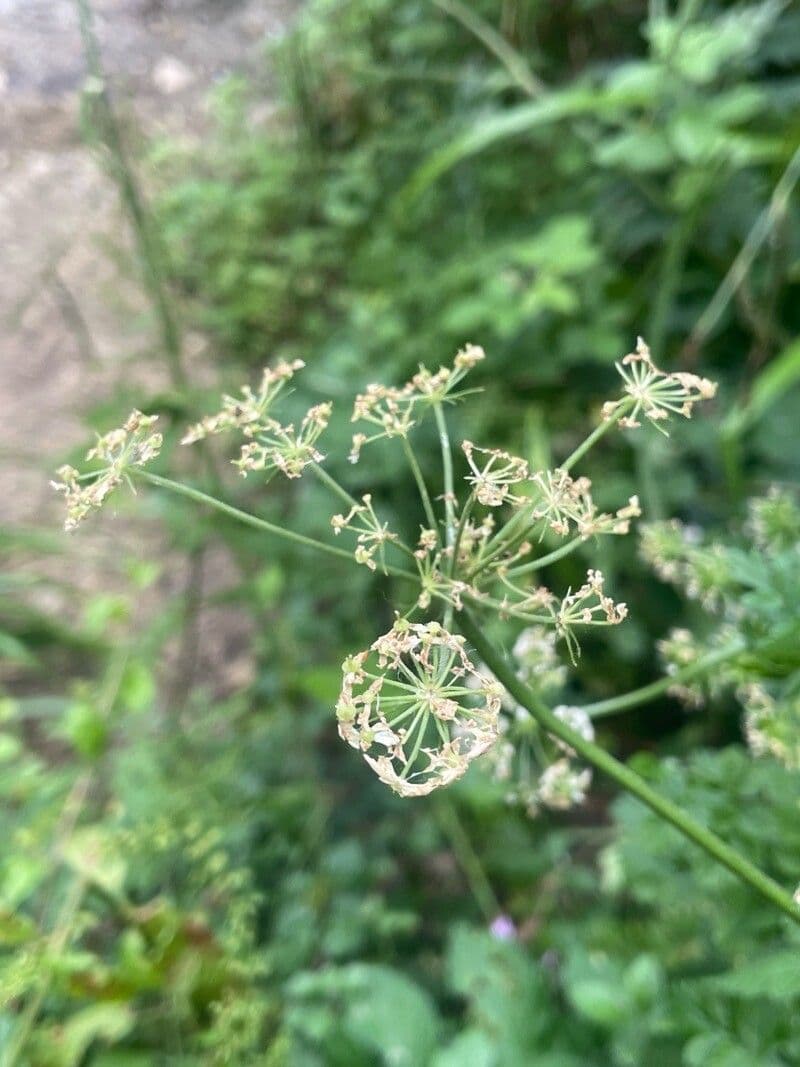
x=75 y=322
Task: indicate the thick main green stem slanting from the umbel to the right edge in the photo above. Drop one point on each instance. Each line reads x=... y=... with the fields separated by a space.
x=702 y=837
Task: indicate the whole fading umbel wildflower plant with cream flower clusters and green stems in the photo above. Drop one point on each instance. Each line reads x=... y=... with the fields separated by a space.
x=435 y=694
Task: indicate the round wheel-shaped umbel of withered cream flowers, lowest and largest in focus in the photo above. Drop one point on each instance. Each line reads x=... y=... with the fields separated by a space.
x=418 y=709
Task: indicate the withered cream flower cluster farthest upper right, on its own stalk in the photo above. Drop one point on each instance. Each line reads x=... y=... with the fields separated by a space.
x=657 y=395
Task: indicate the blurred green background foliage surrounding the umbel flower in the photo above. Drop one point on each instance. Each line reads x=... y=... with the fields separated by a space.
x=195 y=879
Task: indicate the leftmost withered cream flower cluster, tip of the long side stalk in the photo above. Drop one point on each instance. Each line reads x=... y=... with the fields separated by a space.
x=132 y=445
